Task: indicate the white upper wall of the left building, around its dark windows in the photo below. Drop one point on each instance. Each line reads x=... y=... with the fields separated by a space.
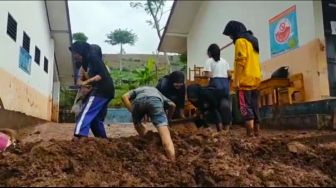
x=31 y=17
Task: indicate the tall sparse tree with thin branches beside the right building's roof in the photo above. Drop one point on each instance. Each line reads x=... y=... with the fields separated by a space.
x=155 y=9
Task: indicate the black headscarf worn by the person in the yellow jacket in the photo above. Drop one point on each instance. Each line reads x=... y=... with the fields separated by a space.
x=238 y=30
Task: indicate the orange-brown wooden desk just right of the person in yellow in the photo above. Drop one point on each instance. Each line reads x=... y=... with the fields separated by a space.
x=269 y=88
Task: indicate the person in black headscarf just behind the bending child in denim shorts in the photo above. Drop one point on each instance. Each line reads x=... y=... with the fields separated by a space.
x=173 y=87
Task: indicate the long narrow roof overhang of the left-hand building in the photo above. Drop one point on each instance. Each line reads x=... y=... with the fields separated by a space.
x=60 y=30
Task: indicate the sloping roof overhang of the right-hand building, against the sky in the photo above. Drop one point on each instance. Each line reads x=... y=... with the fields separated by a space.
x=181 y=18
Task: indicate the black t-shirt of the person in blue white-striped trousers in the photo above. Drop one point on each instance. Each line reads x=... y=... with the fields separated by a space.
x=105 y=86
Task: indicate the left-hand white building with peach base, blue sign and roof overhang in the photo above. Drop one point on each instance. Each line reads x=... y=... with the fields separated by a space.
x=34 y=56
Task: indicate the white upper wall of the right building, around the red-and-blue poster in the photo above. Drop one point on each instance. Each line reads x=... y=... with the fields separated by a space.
x=212 y=17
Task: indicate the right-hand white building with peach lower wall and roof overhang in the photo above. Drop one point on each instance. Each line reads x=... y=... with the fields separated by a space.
x=193 y=25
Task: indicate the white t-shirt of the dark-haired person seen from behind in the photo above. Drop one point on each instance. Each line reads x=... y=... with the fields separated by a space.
x=218 y=69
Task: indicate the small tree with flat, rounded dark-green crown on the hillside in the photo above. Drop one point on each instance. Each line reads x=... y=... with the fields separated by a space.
x=121 y=37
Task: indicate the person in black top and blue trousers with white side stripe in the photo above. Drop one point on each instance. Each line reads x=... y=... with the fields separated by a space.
x=94 y=110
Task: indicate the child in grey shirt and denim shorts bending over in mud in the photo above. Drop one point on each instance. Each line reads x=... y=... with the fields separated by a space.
x=149 y=101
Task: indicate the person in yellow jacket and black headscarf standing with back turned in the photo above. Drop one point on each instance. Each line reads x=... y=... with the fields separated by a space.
x=247 y=73
